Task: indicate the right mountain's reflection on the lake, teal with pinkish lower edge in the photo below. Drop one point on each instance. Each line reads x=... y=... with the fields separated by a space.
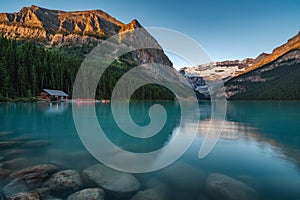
x=271 y=125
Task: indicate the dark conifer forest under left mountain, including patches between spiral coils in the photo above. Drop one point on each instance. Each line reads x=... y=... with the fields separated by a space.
x=25 y=69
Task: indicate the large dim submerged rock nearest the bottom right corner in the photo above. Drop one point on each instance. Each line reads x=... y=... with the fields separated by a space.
x=220 y=186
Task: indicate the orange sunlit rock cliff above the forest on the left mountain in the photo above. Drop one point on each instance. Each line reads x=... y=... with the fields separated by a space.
x=47 y=25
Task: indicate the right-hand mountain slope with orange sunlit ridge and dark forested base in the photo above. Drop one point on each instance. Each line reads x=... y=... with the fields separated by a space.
x=275 y=77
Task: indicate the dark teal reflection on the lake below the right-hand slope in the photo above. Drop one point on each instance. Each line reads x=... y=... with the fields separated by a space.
x=273 y=123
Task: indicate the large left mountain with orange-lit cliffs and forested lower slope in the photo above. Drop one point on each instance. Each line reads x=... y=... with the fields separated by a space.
x=42 y=48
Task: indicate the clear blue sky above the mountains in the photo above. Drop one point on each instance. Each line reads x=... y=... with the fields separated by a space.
x=226 y=29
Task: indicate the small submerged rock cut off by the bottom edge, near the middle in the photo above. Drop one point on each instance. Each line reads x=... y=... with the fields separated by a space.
x=150 y=194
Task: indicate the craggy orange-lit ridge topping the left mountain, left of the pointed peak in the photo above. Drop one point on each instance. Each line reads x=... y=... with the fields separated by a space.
x=65 y=22
